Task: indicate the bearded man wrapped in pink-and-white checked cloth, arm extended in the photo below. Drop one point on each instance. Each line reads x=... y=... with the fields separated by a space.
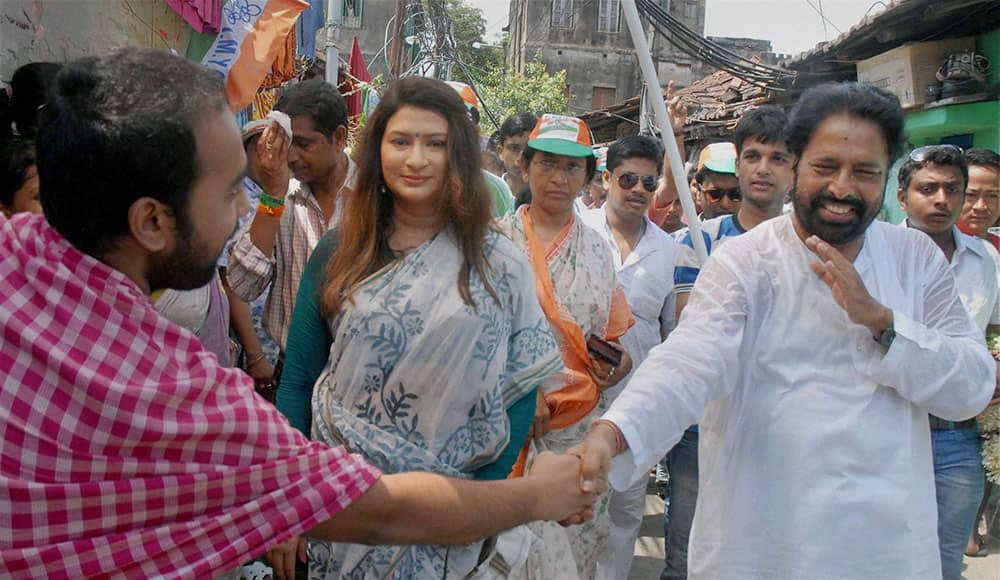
x=127 y=449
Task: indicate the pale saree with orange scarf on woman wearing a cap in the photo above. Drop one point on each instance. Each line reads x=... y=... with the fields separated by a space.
x=578 y=286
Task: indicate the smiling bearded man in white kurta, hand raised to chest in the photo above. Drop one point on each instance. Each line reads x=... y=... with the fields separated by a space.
x=810 y=353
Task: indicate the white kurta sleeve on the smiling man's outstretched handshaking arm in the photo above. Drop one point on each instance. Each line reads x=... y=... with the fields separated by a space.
x=698 y=364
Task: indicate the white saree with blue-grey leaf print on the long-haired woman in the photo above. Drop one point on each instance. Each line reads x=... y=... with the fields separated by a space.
x=419 y=380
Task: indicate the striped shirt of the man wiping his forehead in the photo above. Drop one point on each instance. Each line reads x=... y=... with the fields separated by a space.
x=302 y=225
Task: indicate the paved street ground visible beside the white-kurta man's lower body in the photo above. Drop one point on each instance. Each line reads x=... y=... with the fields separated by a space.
x=649 y=549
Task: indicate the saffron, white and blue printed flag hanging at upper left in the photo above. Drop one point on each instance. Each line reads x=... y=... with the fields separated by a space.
x=252 y=34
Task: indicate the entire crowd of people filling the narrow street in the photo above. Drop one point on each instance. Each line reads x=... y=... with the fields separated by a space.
x=226 y=343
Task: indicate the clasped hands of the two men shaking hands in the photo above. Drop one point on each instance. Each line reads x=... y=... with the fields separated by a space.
x=571 y=482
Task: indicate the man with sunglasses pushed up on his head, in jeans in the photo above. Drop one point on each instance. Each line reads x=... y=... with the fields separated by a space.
x=932 y=187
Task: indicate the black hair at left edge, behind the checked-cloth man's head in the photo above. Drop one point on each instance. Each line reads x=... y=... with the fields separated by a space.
x=30 y=86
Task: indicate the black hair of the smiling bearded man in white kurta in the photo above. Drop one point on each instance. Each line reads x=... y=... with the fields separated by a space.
x=858 y=100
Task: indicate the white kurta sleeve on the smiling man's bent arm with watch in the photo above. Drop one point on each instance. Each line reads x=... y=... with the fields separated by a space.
x=940 y=363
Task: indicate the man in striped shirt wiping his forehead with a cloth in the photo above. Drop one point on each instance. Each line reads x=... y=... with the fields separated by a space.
x=293 y=214
